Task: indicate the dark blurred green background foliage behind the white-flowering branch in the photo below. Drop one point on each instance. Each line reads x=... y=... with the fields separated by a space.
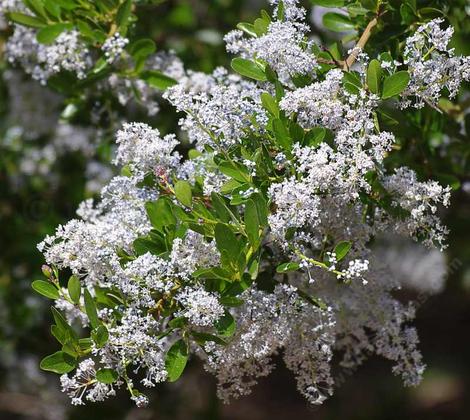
x=36 y=196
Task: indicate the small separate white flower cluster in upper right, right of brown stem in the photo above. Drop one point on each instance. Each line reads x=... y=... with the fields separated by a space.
x=433 y=67
